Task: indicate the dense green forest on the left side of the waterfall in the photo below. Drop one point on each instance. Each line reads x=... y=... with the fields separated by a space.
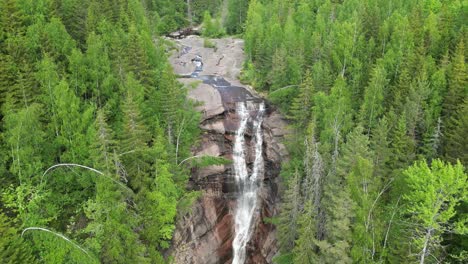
x=84 y=83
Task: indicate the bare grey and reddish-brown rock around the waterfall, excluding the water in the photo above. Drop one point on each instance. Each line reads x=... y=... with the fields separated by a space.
x=205 y=235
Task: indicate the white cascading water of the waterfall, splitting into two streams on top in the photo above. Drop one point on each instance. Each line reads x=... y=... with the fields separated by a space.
x=248 y=185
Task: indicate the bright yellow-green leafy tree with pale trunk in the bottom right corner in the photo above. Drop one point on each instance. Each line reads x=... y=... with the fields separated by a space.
x=433 y=194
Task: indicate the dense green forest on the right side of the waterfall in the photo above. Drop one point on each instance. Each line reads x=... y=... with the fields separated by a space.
x=376 y=92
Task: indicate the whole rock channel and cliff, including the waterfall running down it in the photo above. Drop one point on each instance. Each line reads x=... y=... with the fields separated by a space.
x=227 y=224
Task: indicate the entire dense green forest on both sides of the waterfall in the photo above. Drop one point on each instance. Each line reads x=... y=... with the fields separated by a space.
x=94 y=125
